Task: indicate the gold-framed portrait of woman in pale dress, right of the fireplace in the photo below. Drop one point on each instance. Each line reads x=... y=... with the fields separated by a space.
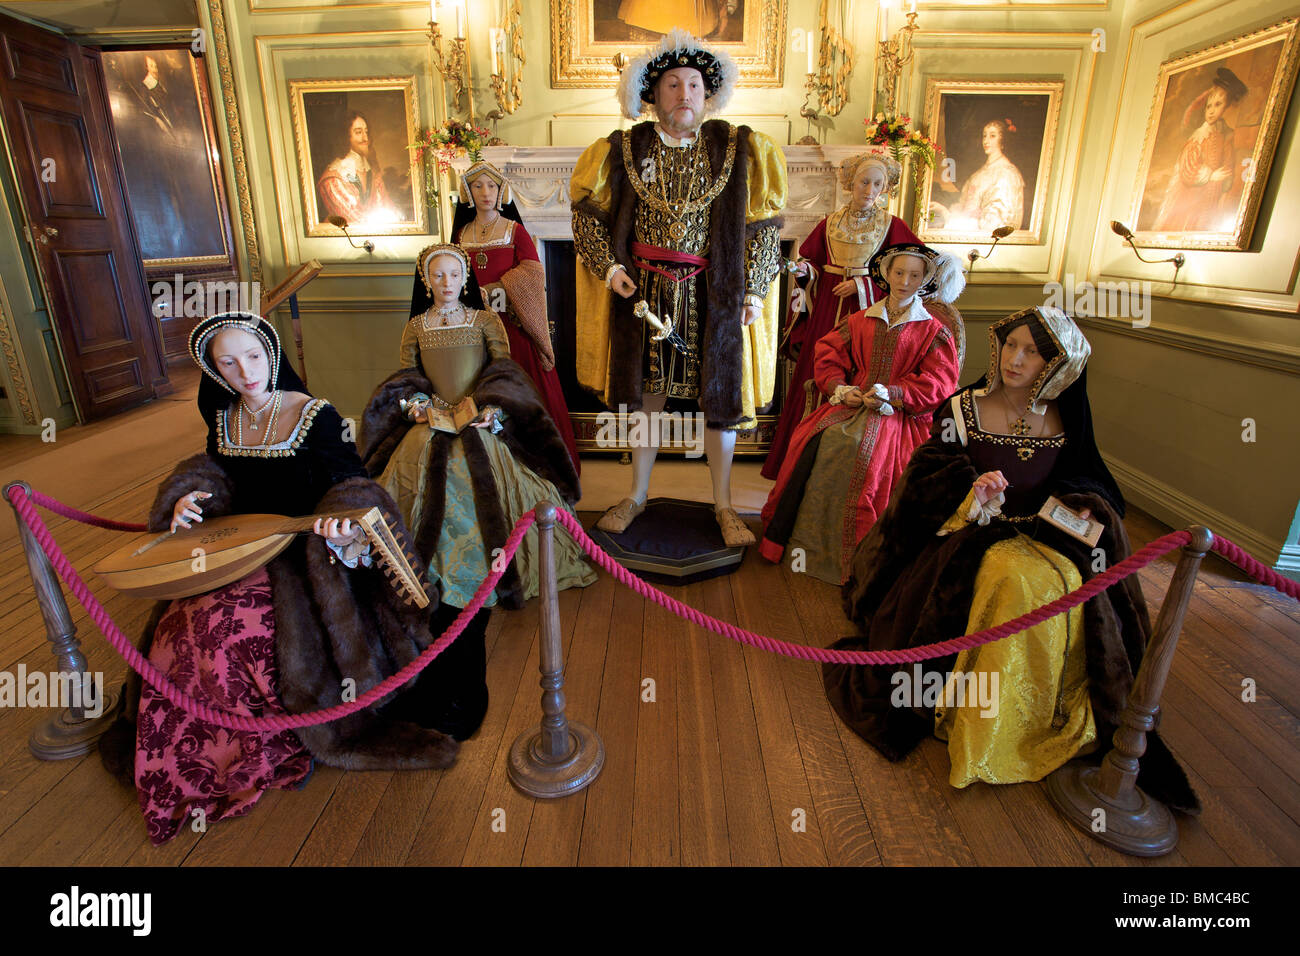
x=998 y=140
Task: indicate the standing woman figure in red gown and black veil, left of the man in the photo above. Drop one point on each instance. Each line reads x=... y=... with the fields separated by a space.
x=509 y=280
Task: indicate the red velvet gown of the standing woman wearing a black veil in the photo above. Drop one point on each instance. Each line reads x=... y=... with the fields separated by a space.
x=512 y=263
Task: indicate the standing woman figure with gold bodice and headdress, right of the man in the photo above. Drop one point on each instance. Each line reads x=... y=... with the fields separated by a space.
x=834 y=261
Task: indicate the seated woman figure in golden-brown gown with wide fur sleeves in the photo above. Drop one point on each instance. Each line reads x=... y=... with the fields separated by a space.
x=463 y=494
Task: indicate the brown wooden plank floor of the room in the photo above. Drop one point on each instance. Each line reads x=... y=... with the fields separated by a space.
x=735 y=759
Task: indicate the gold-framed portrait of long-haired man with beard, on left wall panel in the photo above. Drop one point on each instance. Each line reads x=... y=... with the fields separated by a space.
x=380 y=194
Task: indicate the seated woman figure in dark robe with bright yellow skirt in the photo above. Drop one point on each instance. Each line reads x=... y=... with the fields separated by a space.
x=960 y=550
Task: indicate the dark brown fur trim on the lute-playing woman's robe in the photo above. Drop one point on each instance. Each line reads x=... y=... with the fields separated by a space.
x=332 y=622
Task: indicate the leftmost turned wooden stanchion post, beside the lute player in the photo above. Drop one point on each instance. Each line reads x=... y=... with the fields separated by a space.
x=71 y=733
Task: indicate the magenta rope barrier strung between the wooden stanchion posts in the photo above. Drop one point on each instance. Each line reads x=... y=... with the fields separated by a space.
x=1126 y=568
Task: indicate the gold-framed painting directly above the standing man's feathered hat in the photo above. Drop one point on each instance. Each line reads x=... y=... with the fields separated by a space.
x=587 y=36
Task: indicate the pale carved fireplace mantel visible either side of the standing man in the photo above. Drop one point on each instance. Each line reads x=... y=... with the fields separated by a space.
x=540 y=178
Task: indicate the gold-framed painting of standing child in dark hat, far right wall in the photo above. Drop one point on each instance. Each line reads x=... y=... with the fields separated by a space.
x=1211 y=139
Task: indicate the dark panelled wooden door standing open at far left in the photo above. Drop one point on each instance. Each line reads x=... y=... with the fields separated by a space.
x=66 y=161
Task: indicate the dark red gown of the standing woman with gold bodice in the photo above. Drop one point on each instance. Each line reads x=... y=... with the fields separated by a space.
x=827 y=310
